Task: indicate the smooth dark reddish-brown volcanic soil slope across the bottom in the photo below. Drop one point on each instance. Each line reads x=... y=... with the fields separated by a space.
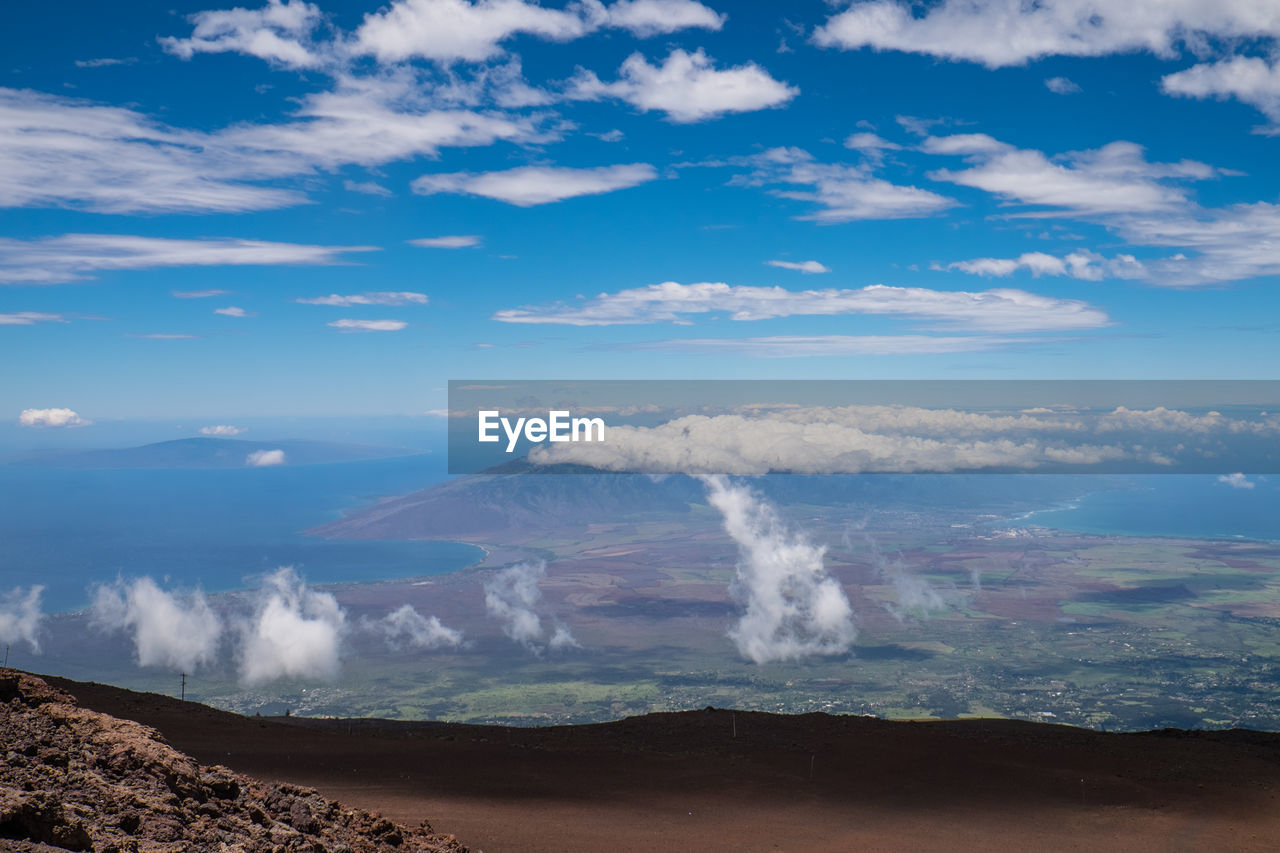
x=684 y=782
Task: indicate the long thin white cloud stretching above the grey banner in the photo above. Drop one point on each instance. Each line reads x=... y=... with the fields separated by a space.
x=1007 y=311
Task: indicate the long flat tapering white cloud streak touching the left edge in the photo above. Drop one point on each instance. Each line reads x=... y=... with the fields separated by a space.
x=72 y=258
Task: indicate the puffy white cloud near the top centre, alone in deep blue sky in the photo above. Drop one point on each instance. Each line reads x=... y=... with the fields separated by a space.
x=688 y=88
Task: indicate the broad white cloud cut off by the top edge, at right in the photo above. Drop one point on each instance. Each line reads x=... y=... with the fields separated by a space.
x=1009 y=33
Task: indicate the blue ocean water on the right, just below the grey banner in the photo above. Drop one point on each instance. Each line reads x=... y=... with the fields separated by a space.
x=1172 y=505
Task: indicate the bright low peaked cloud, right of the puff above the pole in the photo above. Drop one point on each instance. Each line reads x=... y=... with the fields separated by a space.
x=295 y=633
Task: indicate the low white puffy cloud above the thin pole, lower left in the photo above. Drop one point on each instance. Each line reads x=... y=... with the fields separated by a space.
x=176 y=632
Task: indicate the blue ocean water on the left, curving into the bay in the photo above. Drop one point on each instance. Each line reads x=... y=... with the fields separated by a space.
x=220 y=530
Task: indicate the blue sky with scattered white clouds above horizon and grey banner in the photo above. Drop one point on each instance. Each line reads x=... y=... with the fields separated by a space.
x=648 y=189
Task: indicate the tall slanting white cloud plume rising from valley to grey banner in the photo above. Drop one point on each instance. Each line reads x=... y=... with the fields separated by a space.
x=793 y=608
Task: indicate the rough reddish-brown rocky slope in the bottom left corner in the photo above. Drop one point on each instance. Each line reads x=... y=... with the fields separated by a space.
x=74 y=779
